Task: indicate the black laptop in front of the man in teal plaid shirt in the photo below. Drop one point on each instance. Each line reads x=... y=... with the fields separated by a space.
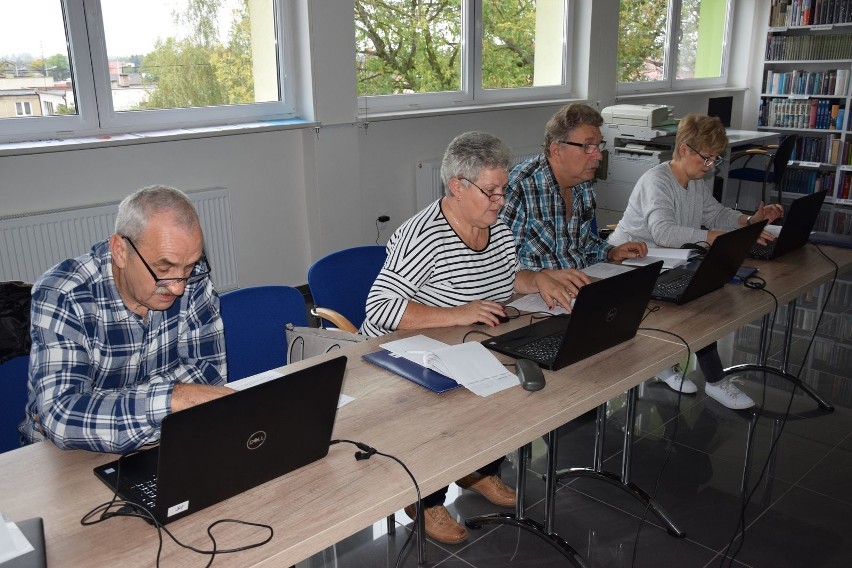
x=720 y=264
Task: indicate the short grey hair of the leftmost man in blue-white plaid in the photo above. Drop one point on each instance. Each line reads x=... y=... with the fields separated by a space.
x=136 y=210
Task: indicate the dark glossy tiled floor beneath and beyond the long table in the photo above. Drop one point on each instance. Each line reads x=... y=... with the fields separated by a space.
x=798 y=509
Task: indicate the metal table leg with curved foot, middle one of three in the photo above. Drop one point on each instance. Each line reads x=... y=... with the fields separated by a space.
x=622 y=481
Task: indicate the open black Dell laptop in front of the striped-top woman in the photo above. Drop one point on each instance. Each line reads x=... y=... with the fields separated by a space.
x=606 y=312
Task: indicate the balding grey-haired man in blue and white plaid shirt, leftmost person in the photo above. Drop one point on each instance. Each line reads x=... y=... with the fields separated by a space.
x=126 y=334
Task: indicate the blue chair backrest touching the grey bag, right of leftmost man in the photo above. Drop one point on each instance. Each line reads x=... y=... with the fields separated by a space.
x=254 y=320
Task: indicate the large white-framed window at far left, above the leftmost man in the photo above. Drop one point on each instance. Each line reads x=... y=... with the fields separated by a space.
x=124 y=65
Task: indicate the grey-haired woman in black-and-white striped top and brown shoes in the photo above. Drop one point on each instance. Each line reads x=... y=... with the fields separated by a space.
x=455 y=263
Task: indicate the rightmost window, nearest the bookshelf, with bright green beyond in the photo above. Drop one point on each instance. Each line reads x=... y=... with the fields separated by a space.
x=673 y=44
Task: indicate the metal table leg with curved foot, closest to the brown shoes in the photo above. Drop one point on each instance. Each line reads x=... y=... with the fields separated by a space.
x=517 y=519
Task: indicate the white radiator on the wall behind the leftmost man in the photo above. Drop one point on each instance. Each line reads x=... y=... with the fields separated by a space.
x=33 y=242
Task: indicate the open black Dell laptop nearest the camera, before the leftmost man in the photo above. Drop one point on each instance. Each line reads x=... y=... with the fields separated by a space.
x=218 y=449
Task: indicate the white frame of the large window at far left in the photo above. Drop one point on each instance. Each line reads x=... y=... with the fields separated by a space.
x=93 y=95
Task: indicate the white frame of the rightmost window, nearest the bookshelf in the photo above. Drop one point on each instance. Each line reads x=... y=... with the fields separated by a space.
x=671 y=83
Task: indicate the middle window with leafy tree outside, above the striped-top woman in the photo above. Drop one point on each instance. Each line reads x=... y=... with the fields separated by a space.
x=412 y=54
